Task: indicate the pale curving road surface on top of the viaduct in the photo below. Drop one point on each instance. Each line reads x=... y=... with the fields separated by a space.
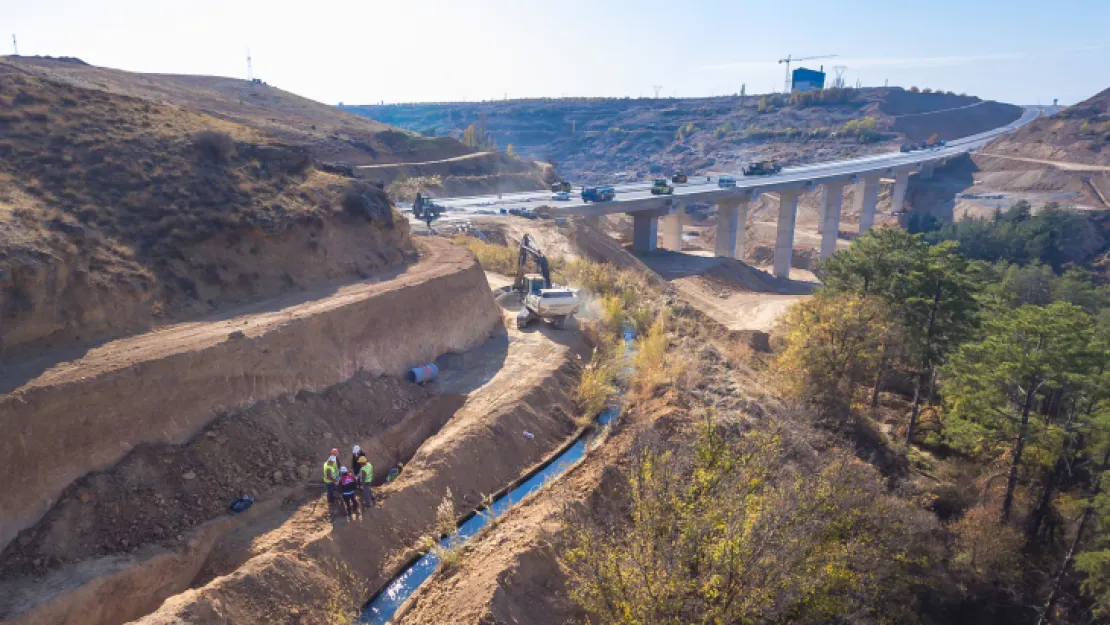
x=632 y=197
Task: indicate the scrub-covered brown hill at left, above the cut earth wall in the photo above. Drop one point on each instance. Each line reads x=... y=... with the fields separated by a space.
x=118 y=214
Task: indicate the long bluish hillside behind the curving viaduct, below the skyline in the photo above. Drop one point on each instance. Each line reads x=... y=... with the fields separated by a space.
x=591 y=139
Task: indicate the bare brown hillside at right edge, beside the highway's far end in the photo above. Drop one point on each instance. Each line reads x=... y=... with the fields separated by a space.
x=1078 y=134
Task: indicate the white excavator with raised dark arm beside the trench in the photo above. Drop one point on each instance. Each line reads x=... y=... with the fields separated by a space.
x=540 y=298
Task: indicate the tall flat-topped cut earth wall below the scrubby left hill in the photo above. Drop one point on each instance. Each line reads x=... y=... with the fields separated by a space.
x=70 y=418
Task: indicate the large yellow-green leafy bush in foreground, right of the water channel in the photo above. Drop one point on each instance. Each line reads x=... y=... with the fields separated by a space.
x=726 y=533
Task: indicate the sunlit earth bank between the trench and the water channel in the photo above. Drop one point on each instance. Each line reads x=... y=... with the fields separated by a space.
x=309 y=562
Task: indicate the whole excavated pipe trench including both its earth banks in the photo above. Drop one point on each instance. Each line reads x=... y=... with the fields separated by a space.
x=250 y=405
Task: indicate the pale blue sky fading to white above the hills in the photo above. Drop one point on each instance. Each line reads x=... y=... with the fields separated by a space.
x=1023 y=52
